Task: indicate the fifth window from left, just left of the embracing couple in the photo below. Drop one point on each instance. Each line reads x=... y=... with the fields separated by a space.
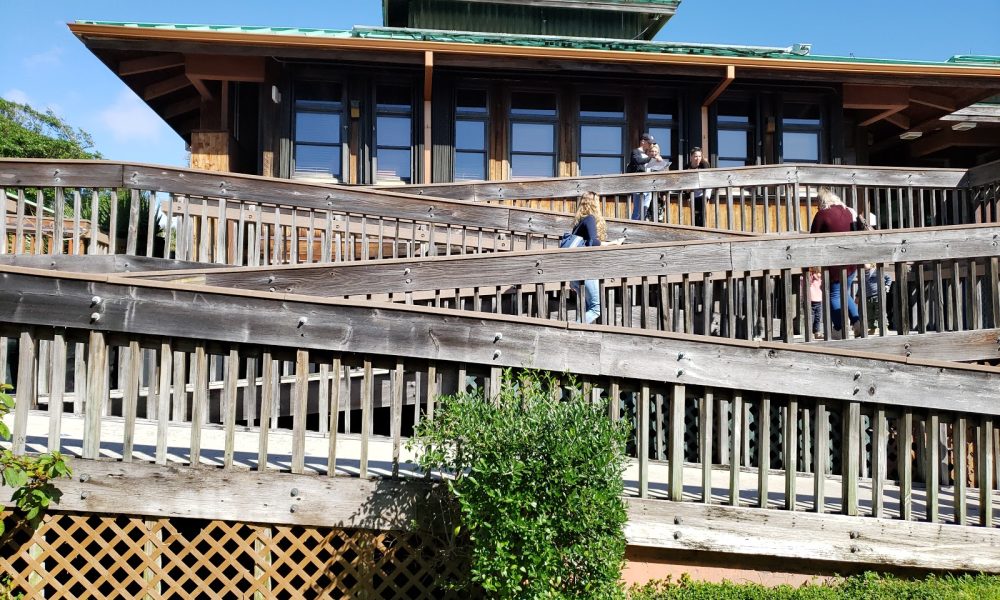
x=602 y=129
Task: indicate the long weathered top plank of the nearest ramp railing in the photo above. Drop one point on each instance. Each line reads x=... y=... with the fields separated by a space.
x=396 y=330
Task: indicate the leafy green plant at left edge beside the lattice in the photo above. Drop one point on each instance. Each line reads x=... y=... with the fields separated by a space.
x=31 y=477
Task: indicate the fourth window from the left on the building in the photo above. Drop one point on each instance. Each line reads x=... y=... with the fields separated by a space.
x=532 y=135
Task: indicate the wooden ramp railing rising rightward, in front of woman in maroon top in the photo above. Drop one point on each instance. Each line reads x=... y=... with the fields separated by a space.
x=943 y=280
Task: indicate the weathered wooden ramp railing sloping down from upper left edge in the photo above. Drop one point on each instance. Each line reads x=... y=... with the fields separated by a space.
x=225 y=218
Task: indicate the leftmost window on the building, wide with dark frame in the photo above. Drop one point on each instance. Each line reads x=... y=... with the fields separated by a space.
x=318 y=147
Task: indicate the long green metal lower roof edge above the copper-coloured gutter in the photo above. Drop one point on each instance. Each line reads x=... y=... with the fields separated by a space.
x=798 y=52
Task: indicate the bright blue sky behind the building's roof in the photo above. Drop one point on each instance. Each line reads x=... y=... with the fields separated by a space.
x=43 y=64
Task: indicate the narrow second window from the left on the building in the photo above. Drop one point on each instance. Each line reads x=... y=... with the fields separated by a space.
x=393 y=134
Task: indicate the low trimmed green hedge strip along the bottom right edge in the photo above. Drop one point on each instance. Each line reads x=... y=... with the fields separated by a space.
x=869 y=586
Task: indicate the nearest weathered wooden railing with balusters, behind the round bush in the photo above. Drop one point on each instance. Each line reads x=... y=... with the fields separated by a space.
x=772 y=426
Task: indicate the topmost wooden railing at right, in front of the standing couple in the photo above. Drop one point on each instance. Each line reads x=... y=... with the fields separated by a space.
x=764 y=199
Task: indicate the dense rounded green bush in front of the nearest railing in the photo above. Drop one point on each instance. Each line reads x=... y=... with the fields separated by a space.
x=538 y=482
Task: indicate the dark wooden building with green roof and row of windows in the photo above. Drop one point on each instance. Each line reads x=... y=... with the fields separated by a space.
x=543 y=88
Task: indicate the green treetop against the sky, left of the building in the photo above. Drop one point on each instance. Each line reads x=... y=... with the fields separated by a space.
x=28 y=133
